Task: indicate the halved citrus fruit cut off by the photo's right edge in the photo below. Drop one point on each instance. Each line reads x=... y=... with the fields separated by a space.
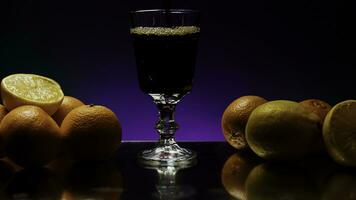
x=339 y=133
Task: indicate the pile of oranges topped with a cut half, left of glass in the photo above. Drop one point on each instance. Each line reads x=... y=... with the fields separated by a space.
x=38 y=123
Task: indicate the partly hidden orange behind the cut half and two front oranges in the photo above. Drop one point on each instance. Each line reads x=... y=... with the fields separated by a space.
x=68 y=104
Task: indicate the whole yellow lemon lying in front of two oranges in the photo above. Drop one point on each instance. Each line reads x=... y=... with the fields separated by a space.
x=282 y=130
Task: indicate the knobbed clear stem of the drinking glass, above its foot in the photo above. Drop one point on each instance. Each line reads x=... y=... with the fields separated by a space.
x=166 y=126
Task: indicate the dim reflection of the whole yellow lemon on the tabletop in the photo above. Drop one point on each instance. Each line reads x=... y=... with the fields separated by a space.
x=279 y=182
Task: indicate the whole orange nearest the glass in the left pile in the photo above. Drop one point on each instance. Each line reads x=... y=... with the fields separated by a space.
x=91 y=132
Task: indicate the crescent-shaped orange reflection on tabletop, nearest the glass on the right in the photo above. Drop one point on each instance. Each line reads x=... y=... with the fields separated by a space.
x=235 y=172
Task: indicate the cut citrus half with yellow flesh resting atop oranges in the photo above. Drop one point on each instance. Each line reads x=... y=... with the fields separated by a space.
x=31 y=89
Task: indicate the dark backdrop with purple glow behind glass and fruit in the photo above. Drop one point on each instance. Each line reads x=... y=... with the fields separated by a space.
x=276 y=49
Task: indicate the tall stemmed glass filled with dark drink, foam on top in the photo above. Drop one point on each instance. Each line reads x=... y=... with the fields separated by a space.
x=165 y=44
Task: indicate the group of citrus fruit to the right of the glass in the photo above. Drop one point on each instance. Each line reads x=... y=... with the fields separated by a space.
x=288 y=130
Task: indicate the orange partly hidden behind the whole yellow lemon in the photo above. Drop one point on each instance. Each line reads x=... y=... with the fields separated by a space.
x=235 y=118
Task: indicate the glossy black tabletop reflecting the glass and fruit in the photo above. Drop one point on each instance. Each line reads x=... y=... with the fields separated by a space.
x=220 y=173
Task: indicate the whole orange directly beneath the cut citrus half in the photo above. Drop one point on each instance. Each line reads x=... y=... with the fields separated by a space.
x=31 y=136
